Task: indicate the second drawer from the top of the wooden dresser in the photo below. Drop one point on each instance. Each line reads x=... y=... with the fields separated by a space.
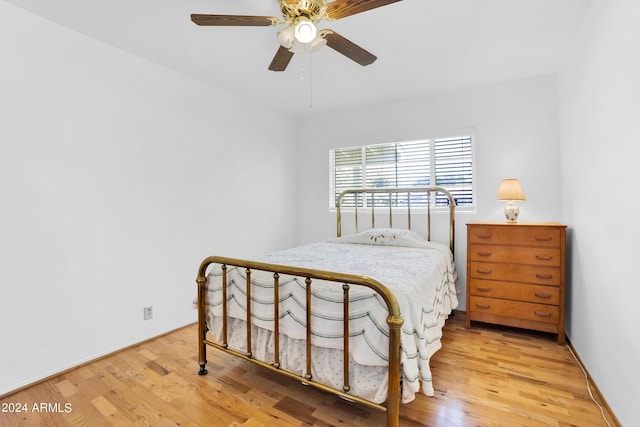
x=516 y=254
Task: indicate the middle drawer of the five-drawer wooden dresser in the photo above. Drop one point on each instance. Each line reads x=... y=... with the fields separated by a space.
x=540 y=275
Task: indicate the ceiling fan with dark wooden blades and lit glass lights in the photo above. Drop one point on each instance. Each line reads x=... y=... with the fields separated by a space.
x=301 y=17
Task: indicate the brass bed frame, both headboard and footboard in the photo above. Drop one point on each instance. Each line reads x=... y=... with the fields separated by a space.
x=394 y=319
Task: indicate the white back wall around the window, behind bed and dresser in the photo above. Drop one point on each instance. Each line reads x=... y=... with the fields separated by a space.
x=516 y=131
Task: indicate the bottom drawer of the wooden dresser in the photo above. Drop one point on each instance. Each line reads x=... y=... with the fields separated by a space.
x=515 y=309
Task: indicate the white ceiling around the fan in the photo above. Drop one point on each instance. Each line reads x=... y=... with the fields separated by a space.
x=423 y=46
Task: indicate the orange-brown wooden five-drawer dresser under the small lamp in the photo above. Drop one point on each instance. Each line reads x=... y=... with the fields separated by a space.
x=516 y=275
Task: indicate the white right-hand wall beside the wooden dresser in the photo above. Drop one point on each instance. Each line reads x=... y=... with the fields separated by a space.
x=600 y=112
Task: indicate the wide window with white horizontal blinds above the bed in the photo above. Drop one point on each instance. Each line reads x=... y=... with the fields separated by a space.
x=442 y=162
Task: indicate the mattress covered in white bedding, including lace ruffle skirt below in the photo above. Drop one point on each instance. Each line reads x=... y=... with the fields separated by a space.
x=421 y=275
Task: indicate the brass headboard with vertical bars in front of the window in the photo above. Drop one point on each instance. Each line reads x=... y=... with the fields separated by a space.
x=398 y=203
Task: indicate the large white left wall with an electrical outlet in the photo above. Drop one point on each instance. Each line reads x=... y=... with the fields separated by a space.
x=117 y=177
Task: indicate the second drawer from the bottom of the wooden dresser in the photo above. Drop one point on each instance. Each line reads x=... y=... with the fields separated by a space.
x=515 y=291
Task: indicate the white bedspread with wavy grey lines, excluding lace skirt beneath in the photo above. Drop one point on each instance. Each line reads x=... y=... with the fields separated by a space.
x=422 y=278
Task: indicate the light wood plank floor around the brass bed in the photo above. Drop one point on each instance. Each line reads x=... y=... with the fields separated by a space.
x=484 y=376
